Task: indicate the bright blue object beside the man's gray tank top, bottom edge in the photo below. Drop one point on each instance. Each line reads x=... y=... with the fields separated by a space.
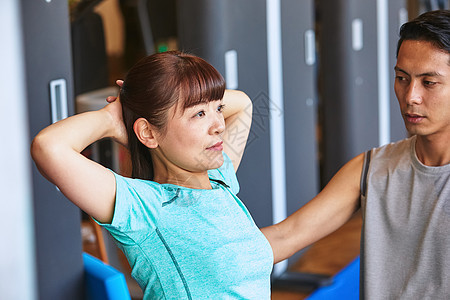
x=345 y=285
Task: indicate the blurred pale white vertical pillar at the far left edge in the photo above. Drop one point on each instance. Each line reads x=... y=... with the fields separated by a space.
x=17 y=263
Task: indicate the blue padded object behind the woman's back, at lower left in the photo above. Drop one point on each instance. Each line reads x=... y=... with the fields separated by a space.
x=103 y=282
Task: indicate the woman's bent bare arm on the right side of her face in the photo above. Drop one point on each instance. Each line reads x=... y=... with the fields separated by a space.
x=238 y=119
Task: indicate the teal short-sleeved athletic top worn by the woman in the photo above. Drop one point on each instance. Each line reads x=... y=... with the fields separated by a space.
x=185 y=243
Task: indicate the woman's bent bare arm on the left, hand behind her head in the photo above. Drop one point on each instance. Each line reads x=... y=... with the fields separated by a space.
x=56 y=151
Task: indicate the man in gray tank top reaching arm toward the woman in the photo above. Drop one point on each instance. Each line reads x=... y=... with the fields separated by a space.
x=403 y=189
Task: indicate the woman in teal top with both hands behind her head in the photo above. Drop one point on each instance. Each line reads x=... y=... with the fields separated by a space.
x=178 y=220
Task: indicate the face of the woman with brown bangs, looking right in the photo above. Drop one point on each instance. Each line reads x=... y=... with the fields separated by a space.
x=192 y=139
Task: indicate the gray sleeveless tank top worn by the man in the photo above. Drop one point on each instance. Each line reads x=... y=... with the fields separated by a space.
x=405 y=241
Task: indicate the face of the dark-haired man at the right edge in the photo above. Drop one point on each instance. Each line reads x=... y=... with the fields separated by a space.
x=422 y=87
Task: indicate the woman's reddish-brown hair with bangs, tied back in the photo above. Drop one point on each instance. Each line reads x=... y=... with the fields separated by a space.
x=155 y=84
